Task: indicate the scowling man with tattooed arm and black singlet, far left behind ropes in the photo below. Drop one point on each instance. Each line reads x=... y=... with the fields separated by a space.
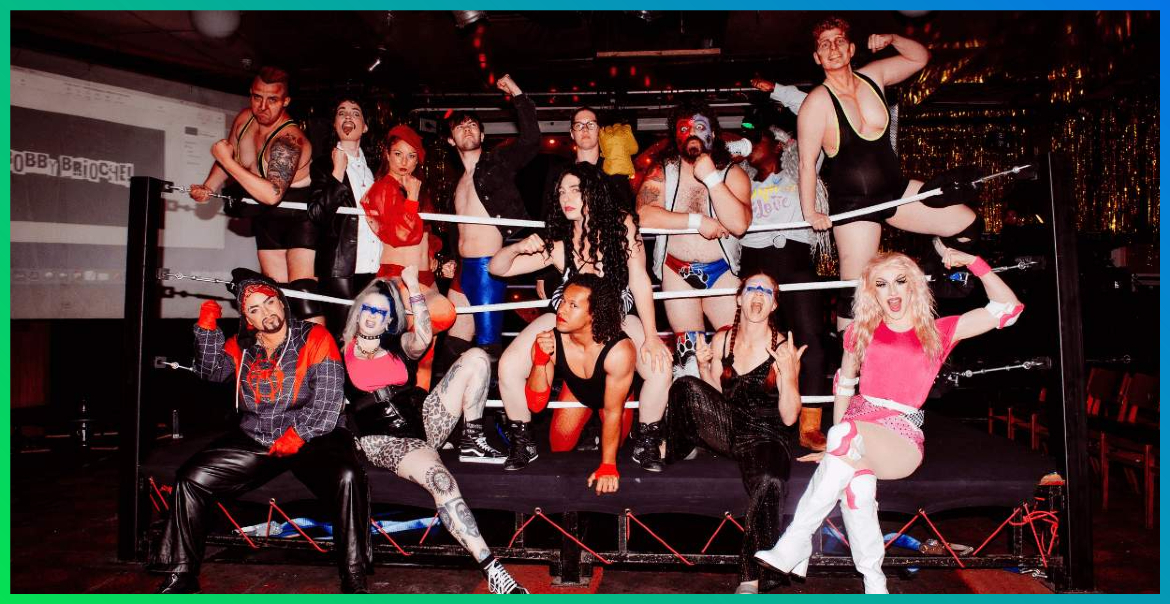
x=271 y=162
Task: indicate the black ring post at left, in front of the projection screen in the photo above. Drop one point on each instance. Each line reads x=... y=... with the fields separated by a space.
x=142 y=312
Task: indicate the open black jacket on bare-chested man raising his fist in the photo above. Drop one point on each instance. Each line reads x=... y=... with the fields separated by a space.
x=495 y=174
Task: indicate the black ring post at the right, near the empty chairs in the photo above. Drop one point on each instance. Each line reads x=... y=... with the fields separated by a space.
x=1077 y=527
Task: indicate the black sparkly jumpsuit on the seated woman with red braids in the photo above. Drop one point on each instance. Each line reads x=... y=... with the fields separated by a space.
x=742 y=423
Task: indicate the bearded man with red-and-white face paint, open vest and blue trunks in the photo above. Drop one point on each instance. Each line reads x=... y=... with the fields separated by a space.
x=697 y=187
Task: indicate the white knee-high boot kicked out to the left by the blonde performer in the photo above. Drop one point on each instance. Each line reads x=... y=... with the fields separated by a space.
x=793 y=551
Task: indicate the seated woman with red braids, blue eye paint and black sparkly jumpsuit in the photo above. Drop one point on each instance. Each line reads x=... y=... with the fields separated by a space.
x=745 y=410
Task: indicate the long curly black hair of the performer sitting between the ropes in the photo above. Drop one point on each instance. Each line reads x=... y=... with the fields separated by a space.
x=605 y=222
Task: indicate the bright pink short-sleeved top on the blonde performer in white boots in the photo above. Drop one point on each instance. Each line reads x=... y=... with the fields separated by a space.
x=897 y=368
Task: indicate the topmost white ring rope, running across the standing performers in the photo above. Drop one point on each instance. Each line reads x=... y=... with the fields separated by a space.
x=644 y=231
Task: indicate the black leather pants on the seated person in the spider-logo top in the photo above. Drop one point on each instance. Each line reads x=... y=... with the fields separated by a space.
x=235 y=464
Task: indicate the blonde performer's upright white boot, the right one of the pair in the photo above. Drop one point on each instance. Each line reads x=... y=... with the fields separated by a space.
x=859 y=511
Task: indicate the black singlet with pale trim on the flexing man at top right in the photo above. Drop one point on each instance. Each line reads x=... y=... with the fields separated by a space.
x=863 y=168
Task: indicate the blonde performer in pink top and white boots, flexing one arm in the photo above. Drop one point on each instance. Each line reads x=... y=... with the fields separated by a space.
x=899 y=346
